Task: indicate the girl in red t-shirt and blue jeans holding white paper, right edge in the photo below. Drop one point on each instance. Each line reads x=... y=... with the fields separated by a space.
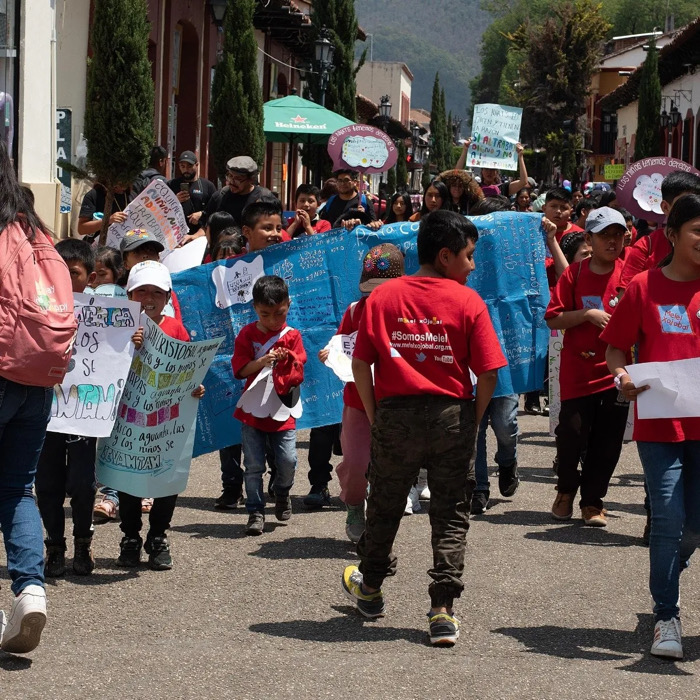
x=660 y=313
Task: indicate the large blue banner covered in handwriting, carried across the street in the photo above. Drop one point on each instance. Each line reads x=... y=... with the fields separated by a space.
x=323 y=273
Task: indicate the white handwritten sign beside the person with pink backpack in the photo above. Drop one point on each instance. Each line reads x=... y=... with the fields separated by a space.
x=86 y=402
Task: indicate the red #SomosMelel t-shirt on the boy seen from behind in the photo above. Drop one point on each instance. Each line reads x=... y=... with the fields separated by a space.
x=423 y=334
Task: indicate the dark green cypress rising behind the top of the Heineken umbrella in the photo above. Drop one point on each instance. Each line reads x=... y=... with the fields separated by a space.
x=338 y=17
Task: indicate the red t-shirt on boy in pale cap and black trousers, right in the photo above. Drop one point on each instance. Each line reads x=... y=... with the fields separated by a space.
x=583 y=368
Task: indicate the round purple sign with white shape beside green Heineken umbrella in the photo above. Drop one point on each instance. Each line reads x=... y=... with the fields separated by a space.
x=363 y=148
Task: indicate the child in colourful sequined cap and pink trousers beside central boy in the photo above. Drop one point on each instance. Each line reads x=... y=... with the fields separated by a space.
x=382 y=263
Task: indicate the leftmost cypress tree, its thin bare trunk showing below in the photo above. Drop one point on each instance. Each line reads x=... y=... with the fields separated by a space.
x=119 y=98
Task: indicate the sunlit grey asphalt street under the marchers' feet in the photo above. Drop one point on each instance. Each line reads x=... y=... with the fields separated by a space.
x=550 y=610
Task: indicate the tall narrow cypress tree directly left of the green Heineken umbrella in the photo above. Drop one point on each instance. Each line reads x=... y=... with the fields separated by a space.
x=236 y=111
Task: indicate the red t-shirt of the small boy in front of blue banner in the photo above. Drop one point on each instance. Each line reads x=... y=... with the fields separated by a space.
x=247 y=343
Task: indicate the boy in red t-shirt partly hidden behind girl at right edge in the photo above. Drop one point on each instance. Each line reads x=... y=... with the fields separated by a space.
x=650 y=251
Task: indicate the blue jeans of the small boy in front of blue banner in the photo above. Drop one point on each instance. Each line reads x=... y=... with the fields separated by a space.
x=284 y=446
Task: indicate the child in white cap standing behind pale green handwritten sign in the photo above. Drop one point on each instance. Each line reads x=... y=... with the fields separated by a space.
x=149 y=284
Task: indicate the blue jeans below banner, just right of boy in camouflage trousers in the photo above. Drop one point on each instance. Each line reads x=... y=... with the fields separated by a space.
x=503 y=412
